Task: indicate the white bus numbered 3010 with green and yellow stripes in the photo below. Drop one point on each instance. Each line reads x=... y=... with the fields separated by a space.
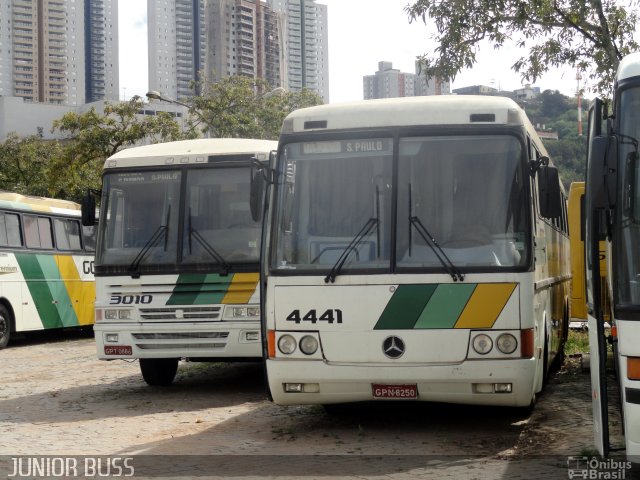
x=177 y=257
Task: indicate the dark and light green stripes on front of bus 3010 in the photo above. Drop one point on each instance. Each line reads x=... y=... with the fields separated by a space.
x=200 y=289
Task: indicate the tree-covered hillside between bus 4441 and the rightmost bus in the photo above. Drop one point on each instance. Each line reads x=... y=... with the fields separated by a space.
x=556 y=112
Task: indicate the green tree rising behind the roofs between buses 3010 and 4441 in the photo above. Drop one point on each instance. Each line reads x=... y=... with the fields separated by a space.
x=244 y=107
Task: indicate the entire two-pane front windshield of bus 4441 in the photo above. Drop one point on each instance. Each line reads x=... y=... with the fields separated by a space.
x=460 y=201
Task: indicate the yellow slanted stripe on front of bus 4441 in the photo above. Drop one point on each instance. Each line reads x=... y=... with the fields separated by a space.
x=484 y=306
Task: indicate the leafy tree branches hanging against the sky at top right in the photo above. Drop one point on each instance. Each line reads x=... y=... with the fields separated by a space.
x=591 y=35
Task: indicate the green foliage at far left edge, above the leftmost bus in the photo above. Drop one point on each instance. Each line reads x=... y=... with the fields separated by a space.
x=25 y=165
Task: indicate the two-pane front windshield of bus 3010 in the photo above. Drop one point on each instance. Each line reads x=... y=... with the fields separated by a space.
x=151 y=223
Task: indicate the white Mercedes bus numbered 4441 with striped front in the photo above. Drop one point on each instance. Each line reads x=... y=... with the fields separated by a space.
x=414 y=249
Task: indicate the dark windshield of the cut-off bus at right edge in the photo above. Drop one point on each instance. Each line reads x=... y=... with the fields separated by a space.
x=627 y=291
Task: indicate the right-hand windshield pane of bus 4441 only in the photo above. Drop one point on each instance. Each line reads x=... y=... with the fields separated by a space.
x=465 y=194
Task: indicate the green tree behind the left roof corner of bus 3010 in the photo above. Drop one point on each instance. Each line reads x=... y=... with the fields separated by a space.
x=91 y=137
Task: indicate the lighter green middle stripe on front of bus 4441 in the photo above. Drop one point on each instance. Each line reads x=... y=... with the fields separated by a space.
x=445 y=306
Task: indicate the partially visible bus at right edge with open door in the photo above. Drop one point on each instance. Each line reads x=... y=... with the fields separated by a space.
x=612 y=207
